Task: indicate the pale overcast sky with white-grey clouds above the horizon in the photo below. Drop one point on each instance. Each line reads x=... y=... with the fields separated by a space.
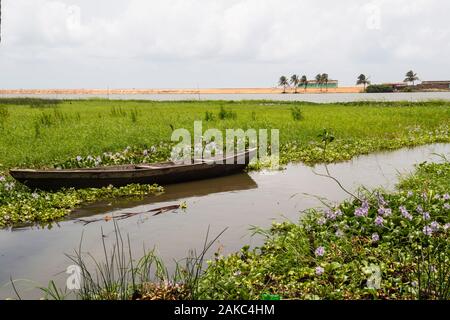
x=218 y=43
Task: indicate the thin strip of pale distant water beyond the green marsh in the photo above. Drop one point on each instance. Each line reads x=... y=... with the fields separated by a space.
x=321 y=98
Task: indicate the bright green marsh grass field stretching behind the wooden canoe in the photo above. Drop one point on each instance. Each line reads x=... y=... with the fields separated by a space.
x=86 y=133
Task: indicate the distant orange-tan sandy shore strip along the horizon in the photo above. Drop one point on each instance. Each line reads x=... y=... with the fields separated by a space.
x=178 y=91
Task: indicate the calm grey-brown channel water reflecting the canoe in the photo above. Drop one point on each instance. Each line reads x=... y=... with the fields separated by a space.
x=236 y=202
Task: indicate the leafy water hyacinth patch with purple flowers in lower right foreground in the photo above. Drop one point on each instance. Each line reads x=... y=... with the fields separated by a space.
x=332 y=254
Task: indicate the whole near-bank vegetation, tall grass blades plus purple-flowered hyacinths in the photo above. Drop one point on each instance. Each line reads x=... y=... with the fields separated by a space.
x=380 y=246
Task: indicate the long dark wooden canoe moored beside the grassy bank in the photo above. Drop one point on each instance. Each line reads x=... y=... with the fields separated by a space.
x=159 y=173
